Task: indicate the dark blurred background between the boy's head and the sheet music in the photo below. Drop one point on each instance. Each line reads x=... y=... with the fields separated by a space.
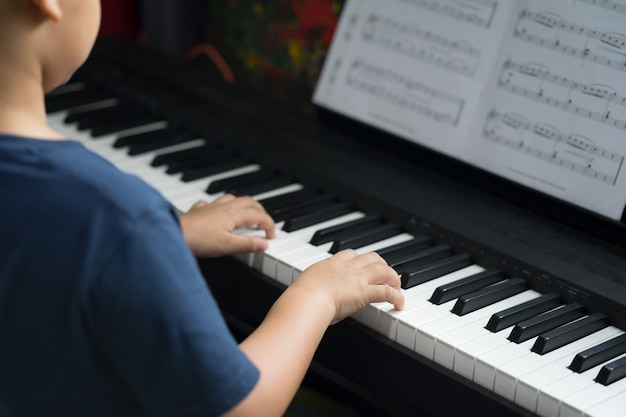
x=275 y=48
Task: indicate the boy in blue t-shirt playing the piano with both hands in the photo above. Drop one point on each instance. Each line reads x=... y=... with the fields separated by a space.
x=103 y=311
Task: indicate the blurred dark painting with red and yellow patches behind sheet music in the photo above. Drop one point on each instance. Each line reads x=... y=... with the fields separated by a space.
x=274 y=47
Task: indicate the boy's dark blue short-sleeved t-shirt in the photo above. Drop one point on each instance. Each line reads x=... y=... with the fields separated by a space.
x=103 y=310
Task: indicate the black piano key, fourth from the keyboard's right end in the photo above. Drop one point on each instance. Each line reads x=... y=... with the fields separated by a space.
x=532 y=327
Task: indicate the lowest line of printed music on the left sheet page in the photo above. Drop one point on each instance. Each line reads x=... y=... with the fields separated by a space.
x=393 y=88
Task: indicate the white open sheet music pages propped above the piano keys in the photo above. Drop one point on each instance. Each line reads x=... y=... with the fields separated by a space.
x=531 y=90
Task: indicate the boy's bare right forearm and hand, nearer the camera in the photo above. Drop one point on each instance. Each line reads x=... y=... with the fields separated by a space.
x=283 y=346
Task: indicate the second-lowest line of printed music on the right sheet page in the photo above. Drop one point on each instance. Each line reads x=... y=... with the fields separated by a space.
x=593 y=101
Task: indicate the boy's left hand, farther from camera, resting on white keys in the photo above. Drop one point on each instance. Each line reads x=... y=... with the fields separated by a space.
x=209 y=228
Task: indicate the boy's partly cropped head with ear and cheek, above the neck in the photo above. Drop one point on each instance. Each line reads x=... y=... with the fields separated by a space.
x=48 y=38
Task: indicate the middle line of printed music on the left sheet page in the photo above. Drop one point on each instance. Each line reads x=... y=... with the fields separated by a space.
x=409 y=39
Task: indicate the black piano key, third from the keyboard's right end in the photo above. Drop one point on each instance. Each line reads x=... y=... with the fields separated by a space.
x=556 y=338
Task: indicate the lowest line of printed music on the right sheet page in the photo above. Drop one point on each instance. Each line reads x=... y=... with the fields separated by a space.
x=543 y=141
